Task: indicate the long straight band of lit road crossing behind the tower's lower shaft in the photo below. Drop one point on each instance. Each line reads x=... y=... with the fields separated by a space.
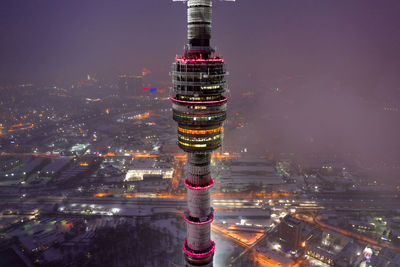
x=222 y=201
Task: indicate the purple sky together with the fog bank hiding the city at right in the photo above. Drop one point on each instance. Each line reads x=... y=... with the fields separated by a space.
x=338 y=57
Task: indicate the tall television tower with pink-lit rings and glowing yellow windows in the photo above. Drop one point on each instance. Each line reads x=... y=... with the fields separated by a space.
x=199 y=108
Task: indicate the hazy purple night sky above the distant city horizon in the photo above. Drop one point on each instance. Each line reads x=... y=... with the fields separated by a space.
x=47 y=39
